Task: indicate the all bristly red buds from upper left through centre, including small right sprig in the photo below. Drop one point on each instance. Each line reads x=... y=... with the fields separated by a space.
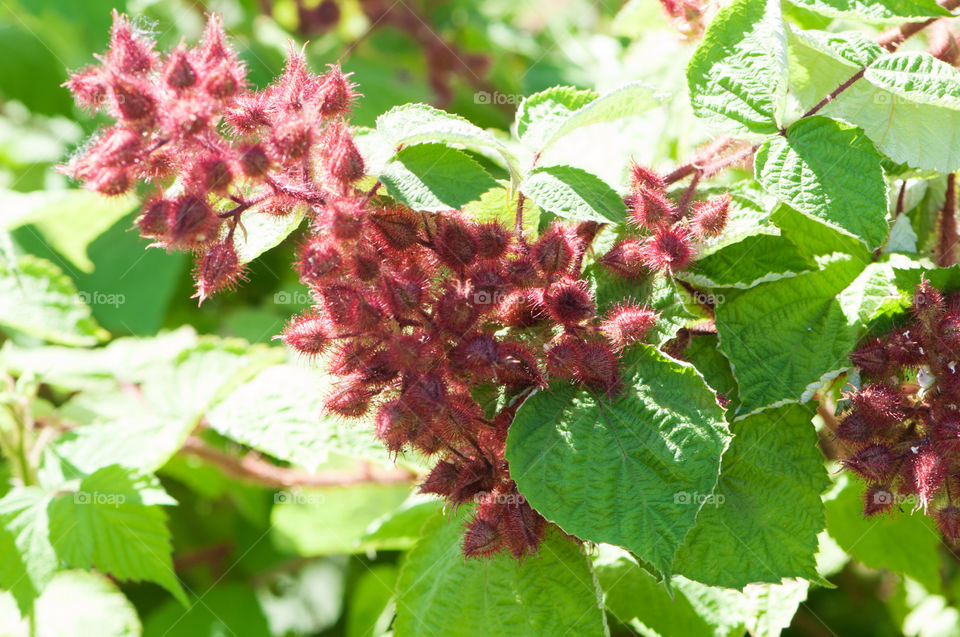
x=415 y=312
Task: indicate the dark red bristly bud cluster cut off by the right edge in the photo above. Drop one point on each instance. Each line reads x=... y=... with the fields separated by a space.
x=902 y=431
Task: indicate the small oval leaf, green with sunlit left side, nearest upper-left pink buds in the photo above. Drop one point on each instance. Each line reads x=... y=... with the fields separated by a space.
x=434 y=177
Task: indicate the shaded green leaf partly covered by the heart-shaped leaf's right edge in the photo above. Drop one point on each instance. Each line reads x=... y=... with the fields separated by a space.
x=762 y=523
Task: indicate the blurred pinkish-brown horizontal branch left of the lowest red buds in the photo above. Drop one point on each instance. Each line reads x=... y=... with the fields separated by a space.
x=253 y=468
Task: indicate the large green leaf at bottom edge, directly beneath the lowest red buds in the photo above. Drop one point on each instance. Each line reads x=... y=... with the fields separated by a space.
x=441 y=593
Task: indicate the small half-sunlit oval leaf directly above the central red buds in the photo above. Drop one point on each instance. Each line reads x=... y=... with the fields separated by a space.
x=574 y=194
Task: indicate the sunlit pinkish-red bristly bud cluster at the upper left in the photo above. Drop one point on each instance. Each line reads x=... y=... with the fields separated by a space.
x=187 y=123
